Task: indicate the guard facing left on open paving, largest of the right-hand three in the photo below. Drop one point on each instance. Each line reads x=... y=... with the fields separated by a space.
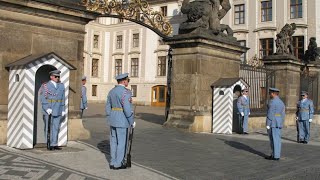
x=274 y=123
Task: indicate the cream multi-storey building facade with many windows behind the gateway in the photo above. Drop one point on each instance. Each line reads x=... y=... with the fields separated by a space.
x=113 y=46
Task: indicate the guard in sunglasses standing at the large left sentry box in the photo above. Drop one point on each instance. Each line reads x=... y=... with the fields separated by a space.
x=52 y=97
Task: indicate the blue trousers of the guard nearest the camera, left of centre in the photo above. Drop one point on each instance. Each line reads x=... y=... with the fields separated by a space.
x=118 y=142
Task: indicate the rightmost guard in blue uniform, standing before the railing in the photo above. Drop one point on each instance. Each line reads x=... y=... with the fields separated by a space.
x=304 y=117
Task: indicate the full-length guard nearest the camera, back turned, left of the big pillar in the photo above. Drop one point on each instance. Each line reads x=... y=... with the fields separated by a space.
x=120 y=117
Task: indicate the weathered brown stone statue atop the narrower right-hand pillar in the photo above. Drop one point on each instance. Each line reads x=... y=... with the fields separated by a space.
x=284 y=40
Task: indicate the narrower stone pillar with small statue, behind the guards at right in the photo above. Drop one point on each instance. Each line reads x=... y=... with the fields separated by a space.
x=287 y=71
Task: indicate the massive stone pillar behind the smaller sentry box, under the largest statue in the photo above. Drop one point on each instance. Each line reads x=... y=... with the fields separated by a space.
x=197 y=62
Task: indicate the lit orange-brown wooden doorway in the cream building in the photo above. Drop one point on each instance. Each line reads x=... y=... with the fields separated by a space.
x=159 y=96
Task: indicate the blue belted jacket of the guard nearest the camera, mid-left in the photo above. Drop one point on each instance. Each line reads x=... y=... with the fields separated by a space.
x=118 y=107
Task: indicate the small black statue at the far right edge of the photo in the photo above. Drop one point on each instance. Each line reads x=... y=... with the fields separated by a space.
x=313 y=51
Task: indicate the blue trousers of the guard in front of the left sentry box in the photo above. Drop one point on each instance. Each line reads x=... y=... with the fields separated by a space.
x=54 y=129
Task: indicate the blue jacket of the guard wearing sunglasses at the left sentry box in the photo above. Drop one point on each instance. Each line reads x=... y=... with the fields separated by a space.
x=52 y=97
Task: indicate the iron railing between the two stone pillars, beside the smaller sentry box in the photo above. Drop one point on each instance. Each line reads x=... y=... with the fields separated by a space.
x=259 y=80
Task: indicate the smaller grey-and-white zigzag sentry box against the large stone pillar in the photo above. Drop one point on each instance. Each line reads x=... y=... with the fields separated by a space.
x=222 y=110
